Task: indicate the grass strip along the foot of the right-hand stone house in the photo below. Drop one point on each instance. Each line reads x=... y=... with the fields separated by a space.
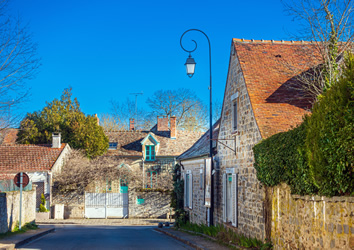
x=226 y=235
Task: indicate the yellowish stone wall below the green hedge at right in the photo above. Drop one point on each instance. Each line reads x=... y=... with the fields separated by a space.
x=311 y=222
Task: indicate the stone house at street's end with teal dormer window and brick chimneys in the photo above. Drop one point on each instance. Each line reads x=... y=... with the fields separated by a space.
x=152 y=154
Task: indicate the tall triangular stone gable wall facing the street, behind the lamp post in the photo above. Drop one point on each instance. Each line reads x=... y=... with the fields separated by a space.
x=251 y=195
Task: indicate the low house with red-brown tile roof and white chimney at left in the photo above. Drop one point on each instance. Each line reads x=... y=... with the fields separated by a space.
x=40 y=162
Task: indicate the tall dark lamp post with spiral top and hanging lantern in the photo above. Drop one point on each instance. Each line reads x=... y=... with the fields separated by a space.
x=190 y=67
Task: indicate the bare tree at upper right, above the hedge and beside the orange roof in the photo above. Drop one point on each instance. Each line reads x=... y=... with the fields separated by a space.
x=329 y=23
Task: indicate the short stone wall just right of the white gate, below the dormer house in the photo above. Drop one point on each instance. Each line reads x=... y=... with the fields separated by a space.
x=156 y=204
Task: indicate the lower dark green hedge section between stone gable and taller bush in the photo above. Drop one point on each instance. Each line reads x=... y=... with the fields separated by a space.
x=282 y=158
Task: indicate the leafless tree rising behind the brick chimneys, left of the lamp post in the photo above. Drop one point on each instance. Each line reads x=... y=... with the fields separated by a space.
x=190 y=112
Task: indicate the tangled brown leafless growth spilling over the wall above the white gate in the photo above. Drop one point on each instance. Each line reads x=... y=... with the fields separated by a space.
x=80 y=174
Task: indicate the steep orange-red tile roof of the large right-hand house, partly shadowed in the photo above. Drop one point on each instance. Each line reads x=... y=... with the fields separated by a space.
x=269 y=68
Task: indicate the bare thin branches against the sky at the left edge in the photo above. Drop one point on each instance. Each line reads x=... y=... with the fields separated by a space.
x=18 y=62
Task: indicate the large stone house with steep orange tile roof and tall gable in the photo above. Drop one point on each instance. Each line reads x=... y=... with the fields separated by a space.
x=262 y=97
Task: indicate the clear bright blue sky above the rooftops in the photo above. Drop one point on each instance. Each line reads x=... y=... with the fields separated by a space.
x=107 y=49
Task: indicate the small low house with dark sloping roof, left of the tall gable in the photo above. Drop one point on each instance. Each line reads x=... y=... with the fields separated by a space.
x=195 y=164
